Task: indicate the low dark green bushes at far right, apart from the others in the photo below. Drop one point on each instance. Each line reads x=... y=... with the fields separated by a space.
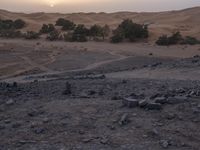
x=176 y=38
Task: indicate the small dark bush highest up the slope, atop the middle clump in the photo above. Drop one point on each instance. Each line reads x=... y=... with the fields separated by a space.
x=66 y=24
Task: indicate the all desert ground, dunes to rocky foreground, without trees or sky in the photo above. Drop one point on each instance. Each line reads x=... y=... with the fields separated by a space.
x=97 y=95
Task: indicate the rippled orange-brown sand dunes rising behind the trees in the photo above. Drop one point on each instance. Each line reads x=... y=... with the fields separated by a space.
x=187 y=21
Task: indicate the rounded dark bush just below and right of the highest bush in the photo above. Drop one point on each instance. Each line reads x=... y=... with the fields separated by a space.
x=80 y=33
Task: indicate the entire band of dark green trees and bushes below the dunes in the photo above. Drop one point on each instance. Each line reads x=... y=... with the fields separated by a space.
x=127 y=30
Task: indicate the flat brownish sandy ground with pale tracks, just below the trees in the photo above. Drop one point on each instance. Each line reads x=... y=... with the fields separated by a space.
x=20 y=57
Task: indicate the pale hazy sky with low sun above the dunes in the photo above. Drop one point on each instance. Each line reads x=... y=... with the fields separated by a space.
x=95 y=5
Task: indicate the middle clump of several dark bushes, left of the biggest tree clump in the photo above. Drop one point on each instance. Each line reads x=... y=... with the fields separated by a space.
x=73 y=32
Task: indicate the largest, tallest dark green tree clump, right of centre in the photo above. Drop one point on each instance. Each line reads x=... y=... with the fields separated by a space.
x=128 y=30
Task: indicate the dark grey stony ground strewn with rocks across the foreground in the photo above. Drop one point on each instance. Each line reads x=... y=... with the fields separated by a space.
x=90 y=110
